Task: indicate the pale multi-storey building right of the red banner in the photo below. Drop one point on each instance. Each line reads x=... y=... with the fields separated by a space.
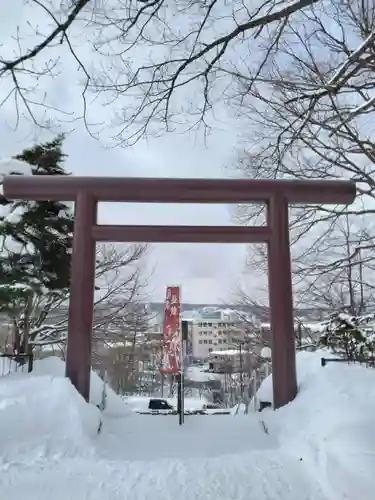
x=215 y=330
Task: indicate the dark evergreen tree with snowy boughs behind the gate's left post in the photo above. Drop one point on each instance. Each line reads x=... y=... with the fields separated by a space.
x=36 y=241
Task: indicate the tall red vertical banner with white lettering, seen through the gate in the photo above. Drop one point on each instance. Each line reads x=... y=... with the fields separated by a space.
x=172 y=345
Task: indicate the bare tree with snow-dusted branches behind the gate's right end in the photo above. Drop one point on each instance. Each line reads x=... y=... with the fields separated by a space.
x=310 y=113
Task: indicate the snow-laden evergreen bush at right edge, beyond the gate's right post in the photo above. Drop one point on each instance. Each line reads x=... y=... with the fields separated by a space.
x=351 y=337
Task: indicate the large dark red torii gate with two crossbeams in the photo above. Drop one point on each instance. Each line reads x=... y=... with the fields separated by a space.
x=86 y=192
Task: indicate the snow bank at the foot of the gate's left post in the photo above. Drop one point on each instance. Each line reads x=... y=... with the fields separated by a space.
x=44 y=417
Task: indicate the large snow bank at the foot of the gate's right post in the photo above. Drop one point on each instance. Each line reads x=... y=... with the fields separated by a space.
x=330 y=425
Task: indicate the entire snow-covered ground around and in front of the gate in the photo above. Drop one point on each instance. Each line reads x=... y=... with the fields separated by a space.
x=320 y=447
